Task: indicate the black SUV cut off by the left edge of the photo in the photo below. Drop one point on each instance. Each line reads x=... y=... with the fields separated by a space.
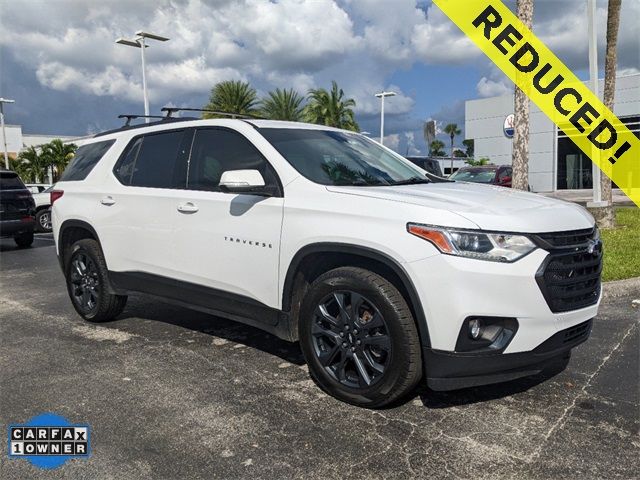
x=16 y=209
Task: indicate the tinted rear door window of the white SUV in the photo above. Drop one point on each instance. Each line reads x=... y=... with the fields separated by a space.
x=155 y=161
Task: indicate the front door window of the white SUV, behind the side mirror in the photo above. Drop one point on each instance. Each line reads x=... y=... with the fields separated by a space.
x=216 y=151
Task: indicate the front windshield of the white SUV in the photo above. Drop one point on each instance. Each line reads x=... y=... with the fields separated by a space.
x=340 y=158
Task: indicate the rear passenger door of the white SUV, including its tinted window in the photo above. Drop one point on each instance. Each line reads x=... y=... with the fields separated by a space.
x=137 y=212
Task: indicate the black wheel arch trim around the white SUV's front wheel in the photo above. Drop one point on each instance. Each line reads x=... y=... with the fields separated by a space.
x=313 y=260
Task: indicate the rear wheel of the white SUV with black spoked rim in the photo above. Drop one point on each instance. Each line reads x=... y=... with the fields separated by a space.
x=88 y=283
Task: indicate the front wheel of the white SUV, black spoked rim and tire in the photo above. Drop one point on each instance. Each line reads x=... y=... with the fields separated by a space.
x=382 y=339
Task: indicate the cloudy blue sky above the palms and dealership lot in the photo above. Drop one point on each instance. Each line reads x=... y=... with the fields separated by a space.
x=58 y=58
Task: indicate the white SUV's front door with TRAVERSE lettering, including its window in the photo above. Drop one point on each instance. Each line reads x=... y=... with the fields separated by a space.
x=230 y=242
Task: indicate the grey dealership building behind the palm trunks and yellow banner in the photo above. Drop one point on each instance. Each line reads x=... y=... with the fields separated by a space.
x=555 y=162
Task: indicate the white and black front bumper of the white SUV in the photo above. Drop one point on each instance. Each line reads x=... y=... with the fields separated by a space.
x=452 y=289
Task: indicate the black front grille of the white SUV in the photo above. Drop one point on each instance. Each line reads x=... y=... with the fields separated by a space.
x=569 y=278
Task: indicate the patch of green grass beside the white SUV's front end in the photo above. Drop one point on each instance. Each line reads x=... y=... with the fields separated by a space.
x=622 y=246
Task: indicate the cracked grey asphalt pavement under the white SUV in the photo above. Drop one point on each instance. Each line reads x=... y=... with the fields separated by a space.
x=173 y=393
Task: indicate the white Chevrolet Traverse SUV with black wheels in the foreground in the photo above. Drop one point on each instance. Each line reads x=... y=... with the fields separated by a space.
x=384 y=273
